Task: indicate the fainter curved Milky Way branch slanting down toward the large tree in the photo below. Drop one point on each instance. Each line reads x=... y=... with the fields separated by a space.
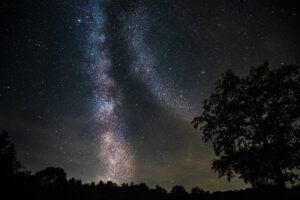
x=144 y=67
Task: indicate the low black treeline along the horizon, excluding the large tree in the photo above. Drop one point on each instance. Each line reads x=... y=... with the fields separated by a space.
x=52 y=183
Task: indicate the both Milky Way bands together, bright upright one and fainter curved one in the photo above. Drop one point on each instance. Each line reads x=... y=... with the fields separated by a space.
x=115 y=152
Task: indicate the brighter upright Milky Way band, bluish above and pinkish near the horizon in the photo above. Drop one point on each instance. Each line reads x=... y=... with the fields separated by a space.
x=115 y=153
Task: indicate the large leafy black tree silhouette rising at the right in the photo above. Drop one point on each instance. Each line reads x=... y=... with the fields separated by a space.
x=253 y=123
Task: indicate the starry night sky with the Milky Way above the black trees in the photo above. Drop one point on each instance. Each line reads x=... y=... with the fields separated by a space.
x=107 y=89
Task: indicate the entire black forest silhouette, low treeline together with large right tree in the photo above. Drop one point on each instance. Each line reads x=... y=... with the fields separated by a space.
x=253 y=123
